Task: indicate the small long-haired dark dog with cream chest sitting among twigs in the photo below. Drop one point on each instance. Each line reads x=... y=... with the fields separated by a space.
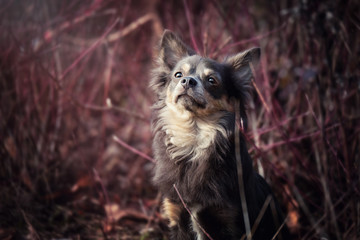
x=193 y=125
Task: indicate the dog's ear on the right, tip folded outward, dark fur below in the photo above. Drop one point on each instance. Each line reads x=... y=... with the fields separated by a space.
x=242 y=72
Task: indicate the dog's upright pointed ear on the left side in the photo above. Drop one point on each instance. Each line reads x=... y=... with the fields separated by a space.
x=172 y=49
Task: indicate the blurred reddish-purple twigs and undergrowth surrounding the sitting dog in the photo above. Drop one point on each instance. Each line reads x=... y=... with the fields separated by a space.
x=75 y=108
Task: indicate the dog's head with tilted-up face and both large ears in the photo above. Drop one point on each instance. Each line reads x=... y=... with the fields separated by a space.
x=200 y=86
